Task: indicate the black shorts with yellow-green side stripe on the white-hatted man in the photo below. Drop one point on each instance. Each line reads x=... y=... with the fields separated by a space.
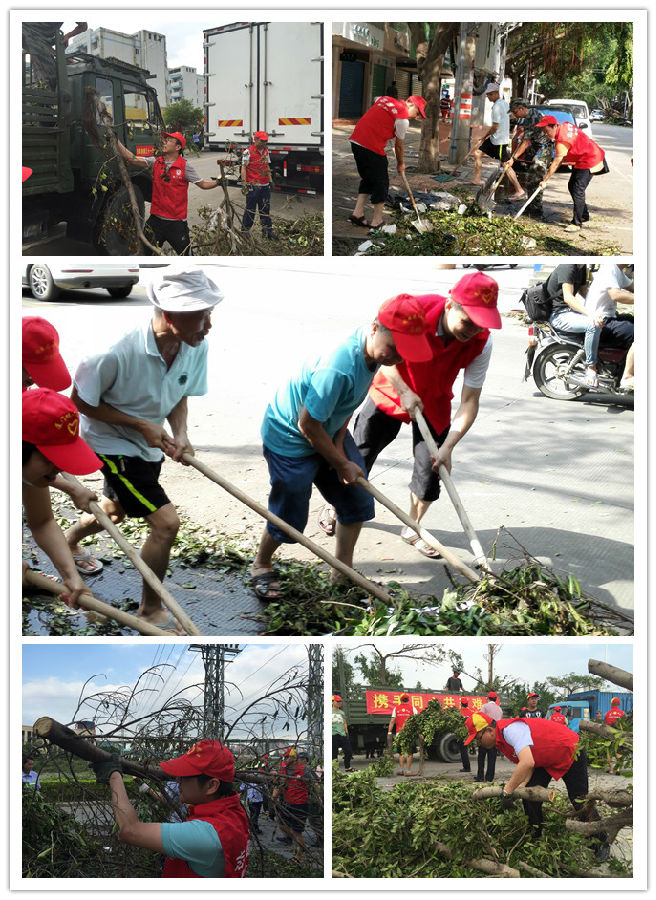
x=134 y=483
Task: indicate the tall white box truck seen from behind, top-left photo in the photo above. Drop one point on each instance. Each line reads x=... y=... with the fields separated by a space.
x=268 y=76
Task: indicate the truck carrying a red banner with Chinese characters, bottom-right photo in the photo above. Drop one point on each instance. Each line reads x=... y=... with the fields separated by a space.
x=368 y=729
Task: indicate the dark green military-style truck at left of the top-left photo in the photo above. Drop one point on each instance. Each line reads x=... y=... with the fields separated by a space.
x=74 y=177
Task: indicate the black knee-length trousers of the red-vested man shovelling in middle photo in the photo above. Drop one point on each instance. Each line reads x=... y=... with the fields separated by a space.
x=373 y=430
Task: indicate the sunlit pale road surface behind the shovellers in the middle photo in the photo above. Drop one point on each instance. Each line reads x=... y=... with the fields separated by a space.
x=558 y=476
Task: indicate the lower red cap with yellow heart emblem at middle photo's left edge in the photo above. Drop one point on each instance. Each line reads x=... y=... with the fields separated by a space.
x=51 y=422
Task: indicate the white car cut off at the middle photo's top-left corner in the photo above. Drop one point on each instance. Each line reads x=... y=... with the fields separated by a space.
x=47 y=280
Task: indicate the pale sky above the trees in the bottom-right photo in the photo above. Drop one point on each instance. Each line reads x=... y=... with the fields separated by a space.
x=528 y=662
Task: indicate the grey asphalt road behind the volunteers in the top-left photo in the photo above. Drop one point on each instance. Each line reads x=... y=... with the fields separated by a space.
x=283 y=205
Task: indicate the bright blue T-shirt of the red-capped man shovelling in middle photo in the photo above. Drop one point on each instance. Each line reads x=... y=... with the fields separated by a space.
x=331 y=387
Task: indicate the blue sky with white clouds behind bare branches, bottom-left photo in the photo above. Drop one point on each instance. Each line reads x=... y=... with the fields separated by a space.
x=54 y=674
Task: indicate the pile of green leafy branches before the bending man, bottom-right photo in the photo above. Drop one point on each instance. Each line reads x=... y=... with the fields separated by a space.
x=392 y=833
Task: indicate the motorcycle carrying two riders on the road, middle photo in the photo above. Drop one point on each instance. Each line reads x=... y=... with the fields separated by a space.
x=557 y=362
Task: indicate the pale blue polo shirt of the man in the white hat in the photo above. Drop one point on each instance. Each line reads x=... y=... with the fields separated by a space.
x=133 y=378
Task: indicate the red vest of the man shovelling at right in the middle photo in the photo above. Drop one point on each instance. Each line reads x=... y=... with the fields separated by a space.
x=432 y=380
